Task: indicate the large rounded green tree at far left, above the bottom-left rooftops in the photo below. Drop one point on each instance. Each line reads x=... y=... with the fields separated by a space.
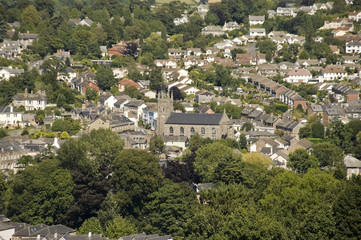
x=41 y=194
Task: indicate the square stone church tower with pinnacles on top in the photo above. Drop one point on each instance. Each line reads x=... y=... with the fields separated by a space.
x=165 y=108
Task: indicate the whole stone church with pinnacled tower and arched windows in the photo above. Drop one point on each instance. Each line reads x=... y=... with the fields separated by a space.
x=170 y=123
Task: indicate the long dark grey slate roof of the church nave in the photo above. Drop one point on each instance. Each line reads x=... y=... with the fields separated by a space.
x=194 y=118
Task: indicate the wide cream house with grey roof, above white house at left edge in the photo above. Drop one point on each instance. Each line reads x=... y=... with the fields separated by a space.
x=31 y=101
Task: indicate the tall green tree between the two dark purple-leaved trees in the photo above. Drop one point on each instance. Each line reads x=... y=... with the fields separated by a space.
x=136 y=174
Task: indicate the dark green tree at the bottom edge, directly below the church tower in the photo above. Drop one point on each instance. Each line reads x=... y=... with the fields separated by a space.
x=169 y=209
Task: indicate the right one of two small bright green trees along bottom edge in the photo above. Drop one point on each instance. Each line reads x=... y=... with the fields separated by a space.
x=119 y=227
